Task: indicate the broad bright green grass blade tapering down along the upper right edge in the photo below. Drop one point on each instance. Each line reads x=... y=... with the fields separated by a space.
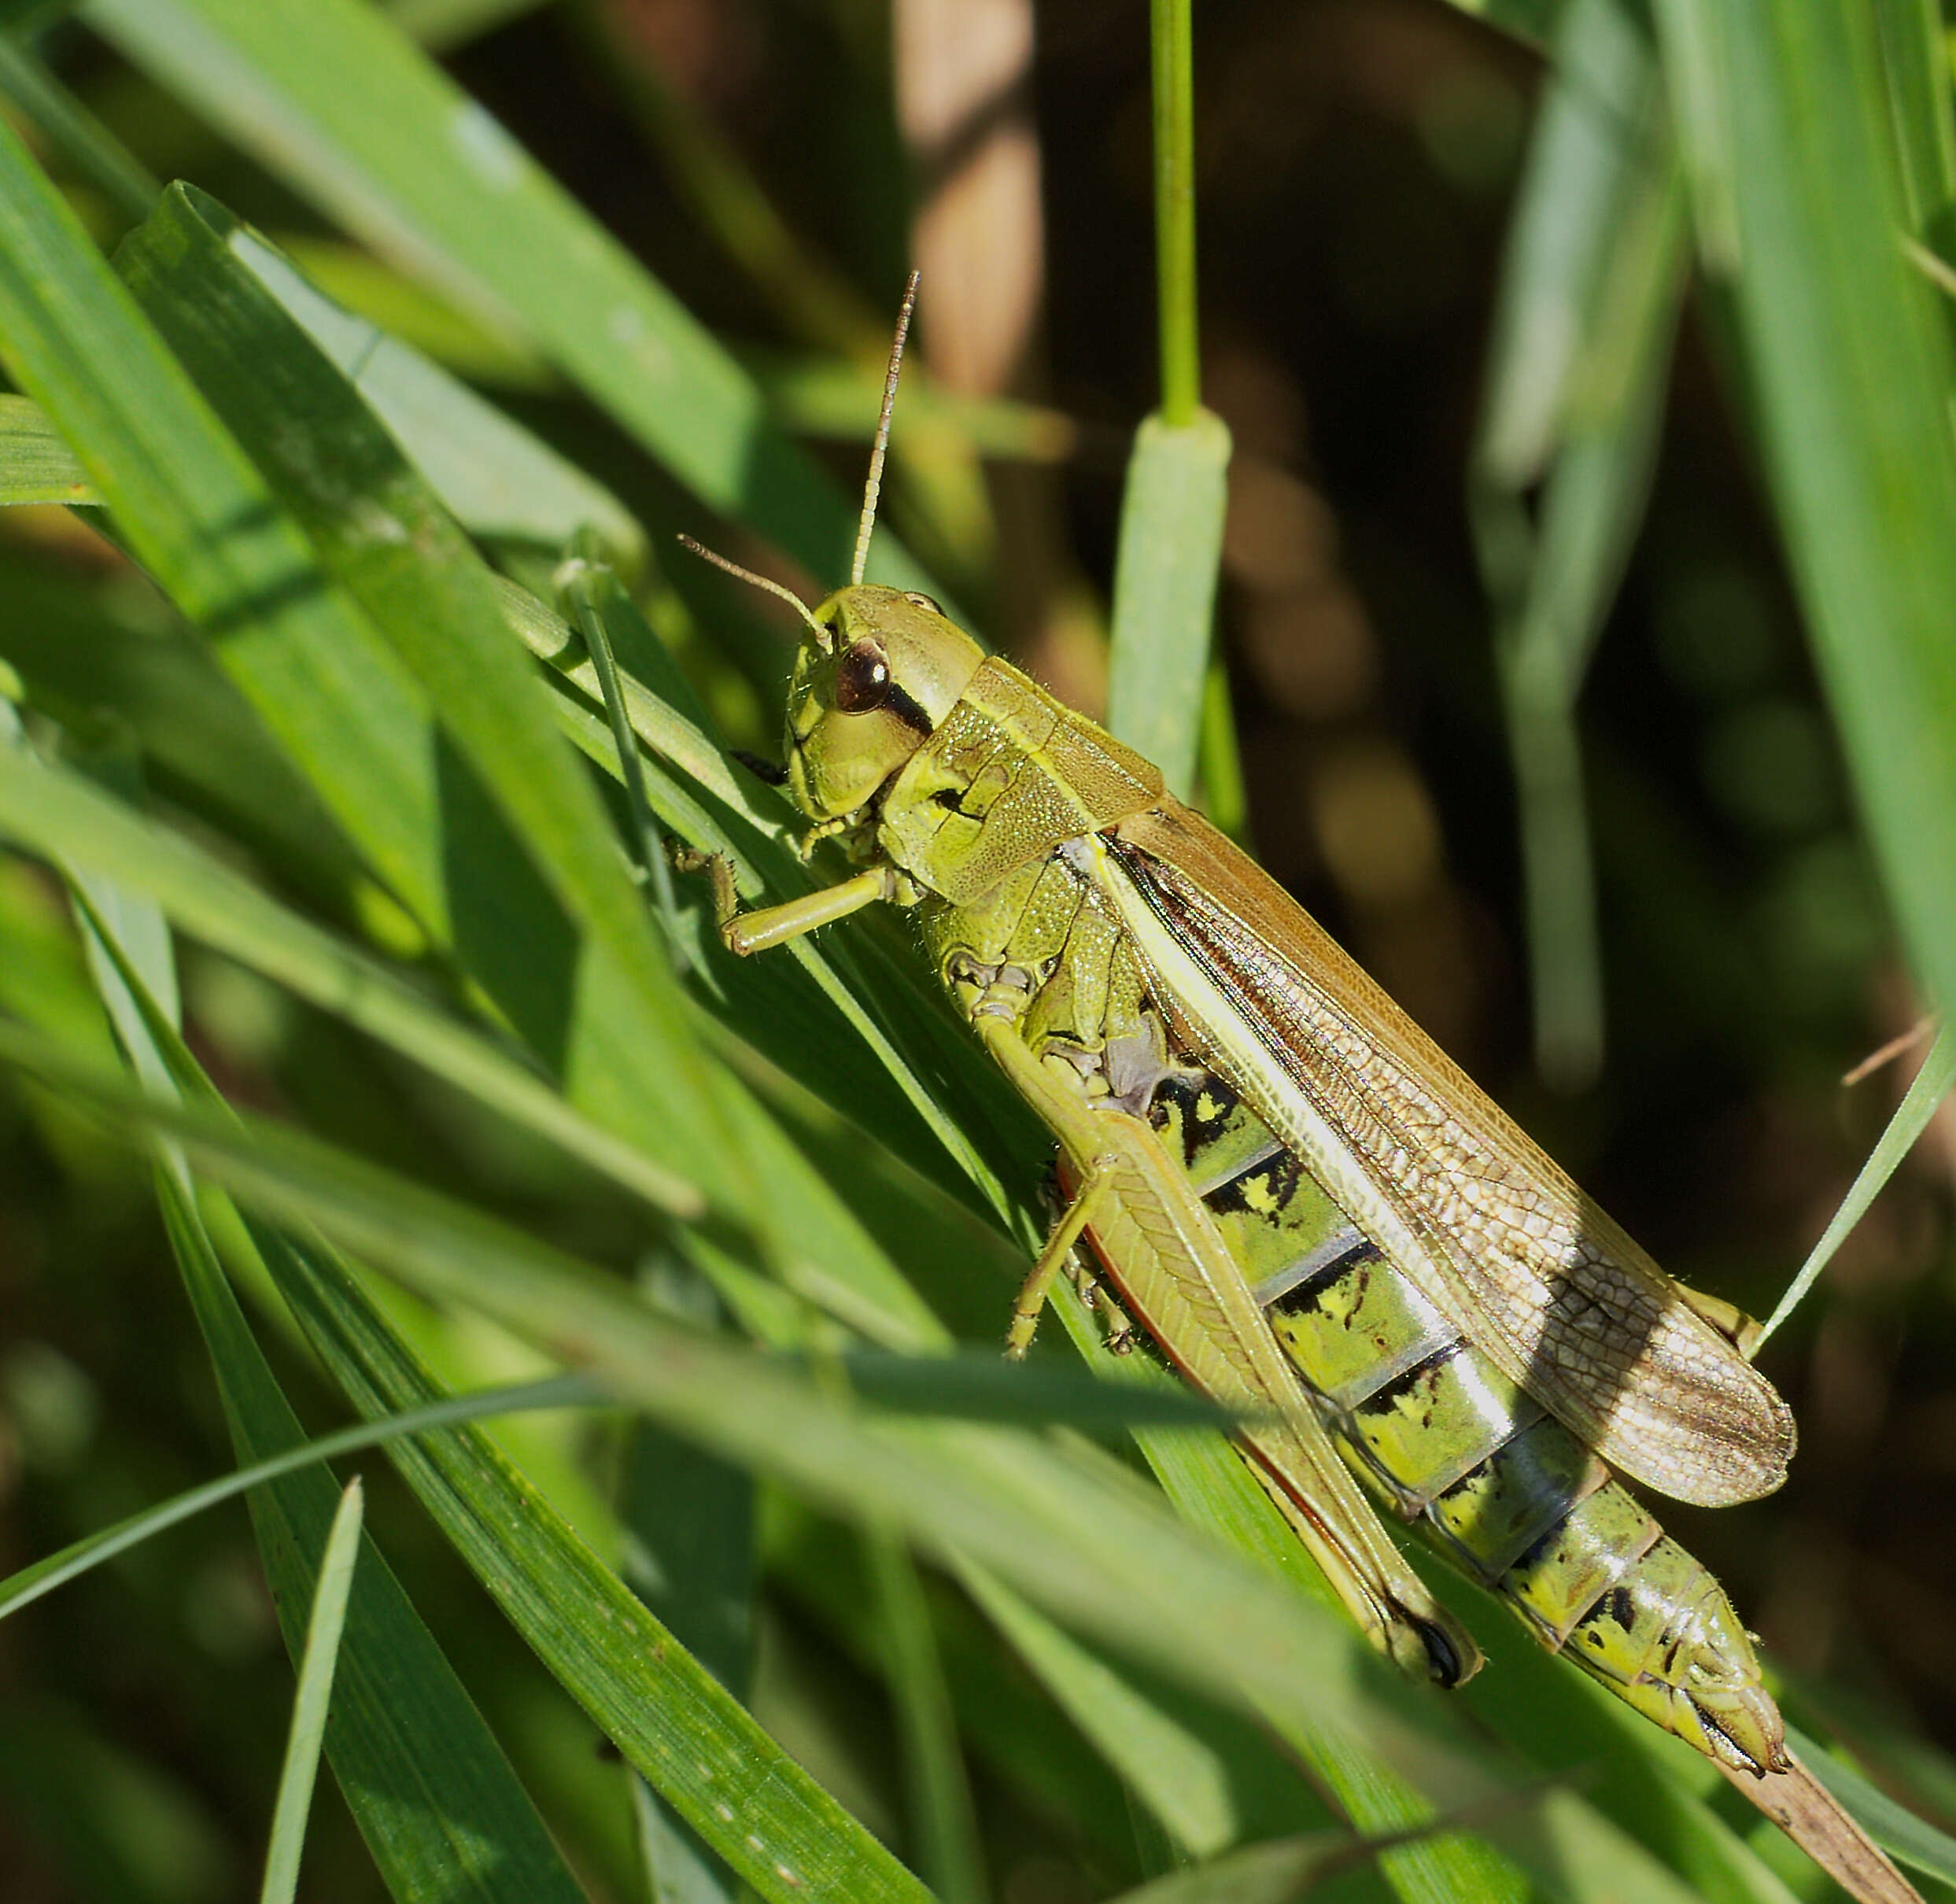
x=1851 y=375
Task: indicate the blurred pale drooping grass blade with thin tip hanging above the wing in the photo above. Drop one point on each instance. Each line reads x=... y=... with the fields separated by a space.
x=1578 y=375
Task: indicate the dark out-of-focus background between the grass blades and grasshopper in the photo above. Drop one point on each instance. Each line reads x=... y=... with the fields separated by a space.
x=778 y=165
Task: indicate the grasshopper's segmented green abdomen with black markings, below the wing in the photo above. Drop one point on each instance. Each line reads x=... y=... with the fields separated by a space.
x=1450 y=1443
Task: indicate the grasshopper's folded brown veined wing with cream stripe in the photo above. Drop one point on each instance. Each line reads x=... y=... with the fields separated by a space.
x=1441 y=1177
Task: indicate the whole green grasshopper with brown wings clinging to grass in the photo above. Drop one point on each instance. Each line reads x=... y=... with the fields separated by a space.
x=1315 y=1214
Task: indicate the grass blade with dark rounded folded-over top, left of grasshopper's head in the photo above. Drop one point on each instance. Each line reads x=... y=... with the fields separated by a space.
x=386 y=541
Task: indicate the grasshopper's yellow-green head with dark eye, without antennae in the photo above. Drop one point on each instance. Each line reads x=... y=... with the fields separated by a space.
x=869 y=696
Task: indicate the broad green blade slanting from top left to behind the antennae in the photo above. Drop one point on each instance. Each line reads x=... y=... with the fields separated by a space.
x=359 y=120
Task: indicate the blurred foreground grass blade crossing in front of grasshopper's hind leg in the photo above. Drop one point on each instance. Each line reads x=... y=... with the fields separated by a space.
x=1069 y=1531
